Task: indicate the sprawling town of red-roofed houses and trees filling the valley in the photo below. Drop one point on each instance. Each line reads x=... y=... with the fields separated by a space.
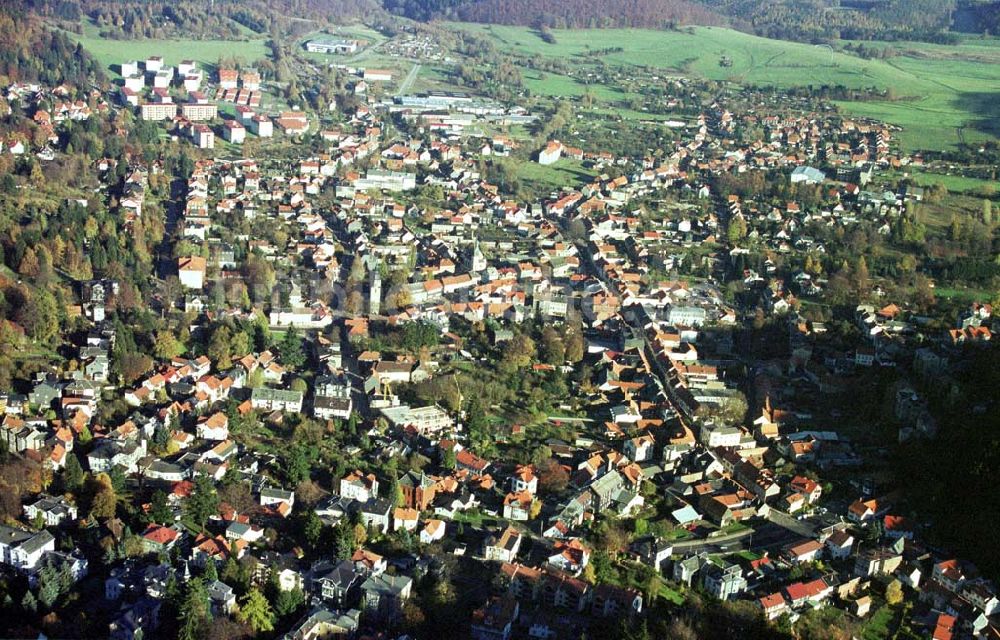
x=400 y=360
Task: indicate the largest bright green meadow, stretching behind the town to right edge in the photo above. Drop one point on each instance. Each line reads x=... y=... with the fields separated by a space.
x=944 y=95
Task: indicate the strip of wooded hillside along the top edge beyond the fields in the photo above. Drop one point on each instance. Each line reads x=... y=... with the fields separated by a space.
x=802 y=20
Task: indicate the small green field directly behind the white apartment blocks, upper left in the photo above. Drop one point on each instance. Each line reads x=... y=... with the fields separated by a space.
x=111 y=53
